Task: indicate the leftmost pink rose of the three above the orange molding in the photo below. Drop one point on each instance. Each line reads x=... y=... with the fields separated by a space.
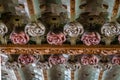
x=19 y=38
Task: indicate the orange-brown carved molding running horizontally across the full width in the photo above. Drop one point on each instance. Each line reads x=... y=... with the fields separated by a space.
x=66 y=49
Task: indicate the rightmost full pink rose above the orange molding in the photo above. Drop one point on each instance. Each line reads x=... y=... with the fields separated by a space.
x=91 y=38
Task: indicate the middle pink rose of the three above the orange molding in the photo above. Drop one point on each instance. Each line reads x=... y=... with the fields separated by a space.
x=56 y=39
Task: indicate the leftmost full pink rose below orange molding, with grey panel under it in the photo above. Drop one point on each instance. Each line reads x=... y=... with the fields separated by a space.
x=29 y=67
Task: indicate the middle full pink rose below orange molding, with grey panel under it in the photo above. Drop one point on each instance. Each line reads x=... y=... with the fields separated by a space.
x=58 y=70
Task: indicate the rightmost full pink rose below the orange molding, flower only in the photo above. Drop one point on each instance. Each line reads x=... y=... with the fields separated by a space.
x=89 y=60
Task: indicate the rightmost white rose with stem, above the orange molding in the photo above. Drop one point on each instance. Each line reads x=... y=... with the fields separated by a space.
x=110 y=31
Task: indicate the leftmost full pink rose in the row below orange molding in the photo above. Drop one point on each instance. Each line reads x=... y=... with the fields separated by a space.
x=26 y=59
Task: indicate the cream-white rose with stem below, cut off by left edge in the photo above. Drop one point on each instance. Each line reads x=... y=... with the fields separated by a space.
x=3 y=31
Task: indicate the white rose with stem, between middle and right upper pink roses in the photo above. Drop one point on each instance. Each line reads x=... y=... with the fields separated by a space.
x=73 y=30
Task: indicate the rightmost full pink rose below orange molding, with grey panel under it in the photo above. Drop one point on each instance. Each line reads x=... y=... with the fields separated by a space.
x=88 y=71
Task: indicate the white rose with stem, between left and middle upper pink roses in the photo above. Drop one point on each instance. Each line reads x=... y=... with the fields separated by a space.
x=35 y=30
